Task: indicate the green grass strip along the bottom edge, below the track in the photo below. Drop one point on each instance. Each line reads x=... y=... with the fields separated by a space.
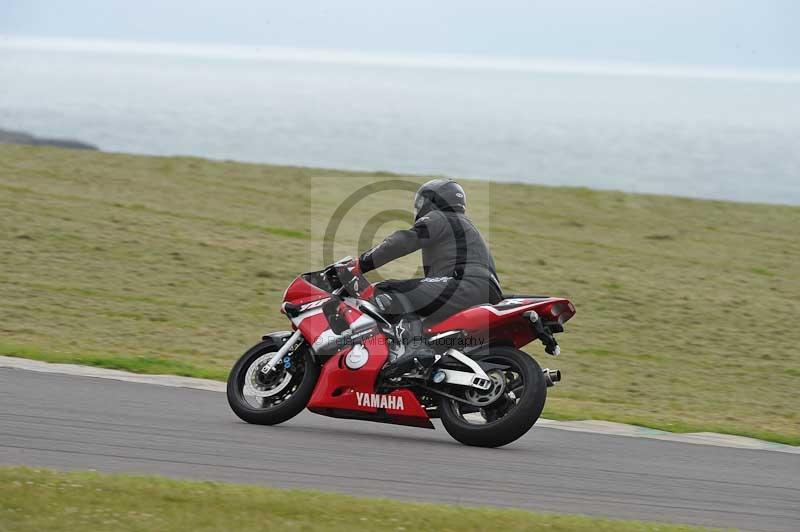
x=36 y=499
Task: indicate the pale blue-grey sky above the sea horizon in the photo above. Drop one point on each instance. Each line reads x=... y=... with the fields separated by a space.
x=731 y=33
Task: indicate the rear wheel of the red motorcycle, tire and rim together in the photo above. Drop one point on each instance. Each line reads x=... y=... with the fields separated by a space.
x=511 y=415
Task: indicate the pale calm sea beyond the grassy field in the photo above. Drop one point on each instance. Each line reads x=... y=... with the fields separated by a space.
x=734 y=137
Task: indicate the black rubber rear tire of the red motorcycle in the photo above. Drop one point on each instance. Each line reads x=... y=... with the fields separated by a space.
x=517 y=421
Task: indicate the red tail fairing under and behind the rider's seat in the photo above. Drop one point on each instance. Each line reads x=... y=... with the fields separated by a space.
x=505 y=320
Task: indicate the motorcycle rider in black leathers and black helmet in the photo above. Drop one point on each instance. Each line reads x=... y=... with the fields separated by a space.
x=458 y=266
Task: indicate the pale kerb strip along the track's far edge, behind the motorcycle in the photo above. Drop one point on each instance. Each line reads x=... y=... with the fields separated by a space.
x=596 y=427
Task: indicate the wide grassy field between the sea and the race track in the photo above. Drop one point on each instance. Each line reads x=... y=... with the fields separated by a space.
x=687 y=309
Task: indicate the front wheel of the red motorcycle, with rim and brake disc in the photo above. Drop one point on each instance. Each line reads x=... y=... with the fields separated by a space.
x=269 y=399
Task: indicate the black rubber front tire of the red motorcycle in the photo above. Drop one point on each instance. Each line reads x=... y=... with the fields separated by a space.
x=283 y=411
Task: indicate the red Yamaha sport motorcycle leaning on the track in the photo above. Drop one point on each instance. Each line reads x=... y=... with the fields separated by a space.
x=484 y=389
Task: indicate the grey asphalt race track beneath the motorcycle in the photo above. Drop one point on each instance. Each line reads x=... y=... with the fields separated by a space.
x=73 y=422
